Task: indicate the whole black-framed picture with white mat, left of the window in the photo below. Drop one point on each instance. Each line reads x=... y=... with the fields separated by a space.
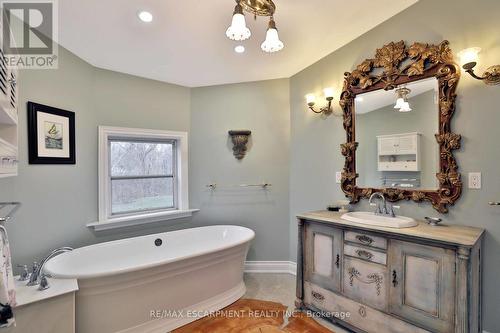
x=51 y=135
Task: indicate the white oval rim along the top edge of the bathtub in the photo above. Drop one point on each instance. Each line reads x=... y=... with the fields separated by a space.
x=247 y=239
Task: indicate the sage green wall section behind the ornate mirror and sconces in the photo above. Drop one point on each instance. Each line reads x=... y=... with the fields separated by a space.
x=315 y=155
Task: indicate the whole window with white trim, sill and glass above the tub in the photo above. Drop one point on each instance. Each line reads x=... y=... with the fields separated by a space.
x=142 y=176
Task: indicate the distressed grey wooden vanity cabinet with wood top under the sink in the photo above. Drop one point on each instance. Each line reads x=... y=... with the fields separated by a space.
x=409 y=280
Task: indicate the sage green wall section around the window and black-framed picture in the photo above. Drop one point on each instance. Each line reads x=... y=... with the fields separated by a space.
x=59 y=200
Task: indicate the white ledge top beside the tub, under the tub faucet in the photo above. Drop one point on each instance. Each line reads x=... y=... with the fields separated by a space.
x=30 y=294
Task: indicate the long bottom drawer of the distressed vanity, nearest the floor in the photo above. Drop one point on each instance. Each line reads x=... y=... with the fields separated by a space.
x=358 y=315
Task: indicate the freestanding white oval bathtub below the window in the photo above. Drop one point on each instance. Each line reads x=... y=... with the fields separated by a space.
x=155 y=283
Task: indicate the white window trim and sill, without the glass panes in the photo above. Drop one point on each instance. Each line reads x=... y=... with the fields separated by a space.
x=106 y=219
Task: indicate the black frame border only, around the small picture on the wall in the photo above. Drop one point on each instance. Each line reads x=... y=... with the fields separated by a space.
x=34 y=158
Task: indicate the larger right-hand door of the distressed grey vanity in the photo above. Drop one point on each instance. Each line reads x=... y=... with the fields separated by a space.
x=423 y=285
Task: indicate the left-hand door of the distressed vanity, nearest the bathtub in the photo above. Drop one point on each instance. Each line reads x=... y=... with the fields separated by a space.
x=323 y=256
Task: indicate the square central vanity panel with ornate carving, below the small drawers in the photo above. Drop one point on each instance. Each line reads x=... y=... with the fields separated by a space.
x=366 y=283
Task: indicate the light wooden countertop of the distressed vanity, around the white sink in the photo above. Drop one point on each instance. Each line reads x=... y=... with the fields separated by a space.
x=447 y=233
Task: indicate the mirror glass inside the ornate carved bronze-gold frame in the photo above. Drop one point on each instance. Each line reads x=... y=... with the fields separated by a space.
x=395 y=130
